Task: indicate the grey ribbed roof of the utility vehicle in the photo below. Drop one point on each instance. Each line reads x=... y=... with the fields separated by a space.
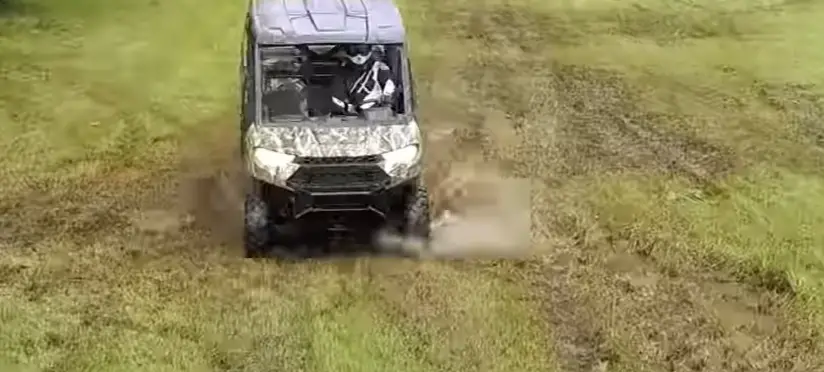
x=292 y=22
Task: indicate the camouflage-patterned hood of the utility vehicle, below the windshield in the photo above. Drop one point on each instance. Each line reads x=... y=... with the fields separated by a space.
x=315 y=140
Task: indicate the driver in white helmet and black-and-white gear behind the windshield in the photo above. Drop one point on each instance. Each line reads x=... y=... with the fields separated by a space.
x=366 y=81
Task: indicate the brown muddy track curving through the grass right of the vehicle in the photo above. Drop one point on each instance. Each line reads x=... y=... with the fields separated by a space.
x=611 y=305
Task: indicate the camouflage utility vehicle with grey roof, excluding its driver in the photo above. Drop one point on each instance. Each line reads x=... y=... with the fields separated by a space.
x=314 y=172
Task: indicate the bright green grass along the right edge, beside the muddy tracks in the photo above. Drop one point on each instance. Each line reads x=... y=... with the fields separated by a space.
x=761 y=218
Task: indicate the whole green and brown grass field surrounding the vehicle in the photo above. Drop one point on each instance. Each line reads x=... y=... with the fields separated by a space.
x=675 y=149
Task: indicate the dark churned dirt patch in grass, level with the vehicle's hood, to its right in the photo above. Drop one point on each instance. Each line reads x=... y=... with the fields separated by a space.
x=598 y=126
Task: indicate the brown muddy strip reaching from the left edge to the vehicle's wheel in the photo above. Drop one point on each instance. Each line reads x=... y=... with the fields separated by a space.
x=152 y=203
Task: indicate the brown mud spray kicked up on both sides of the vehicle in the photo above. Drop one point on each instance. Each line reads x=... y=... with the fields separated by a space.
x=477 y=212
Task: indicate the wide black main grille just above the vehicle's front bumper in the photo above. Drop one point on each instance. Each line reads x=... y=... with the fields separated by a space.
x=332 y=178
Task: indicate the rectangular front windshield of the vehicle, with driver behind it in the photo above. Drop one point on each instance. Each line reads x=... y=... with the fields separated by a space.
x=316 y=81
